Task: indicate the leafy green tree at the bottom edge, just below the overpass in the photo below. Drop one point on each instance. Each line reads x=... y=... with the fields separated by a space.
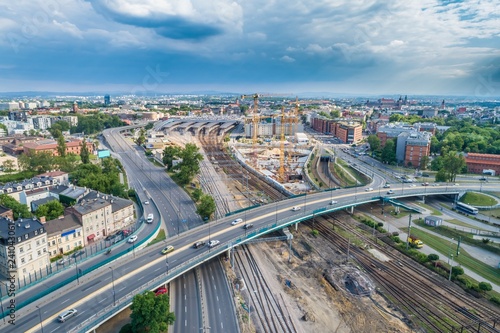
x=151 y=313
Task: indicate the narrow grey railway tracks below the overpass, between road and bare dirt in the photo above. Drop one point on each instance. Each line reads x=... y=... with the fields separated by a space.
x=263 y=303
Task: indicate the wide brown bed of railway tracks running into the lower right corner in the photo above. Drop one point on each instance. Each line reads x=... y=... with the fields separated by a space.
x=431 y=300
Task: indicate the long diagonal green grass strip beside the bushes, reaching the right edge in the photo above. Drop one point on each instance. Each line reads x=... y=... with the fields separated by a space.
x=443 y=247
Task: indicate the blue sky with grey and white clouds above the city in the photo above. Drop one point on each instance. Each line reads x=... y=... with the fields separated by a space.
x=432 y=47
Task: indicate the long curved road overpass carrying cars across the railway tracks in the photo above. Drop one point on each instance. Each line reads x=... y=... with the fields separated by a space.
x=158 y=269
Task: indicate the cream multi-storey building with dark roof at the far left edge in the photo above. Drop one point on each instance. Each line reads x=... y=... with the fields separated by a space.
x=23 y=248
